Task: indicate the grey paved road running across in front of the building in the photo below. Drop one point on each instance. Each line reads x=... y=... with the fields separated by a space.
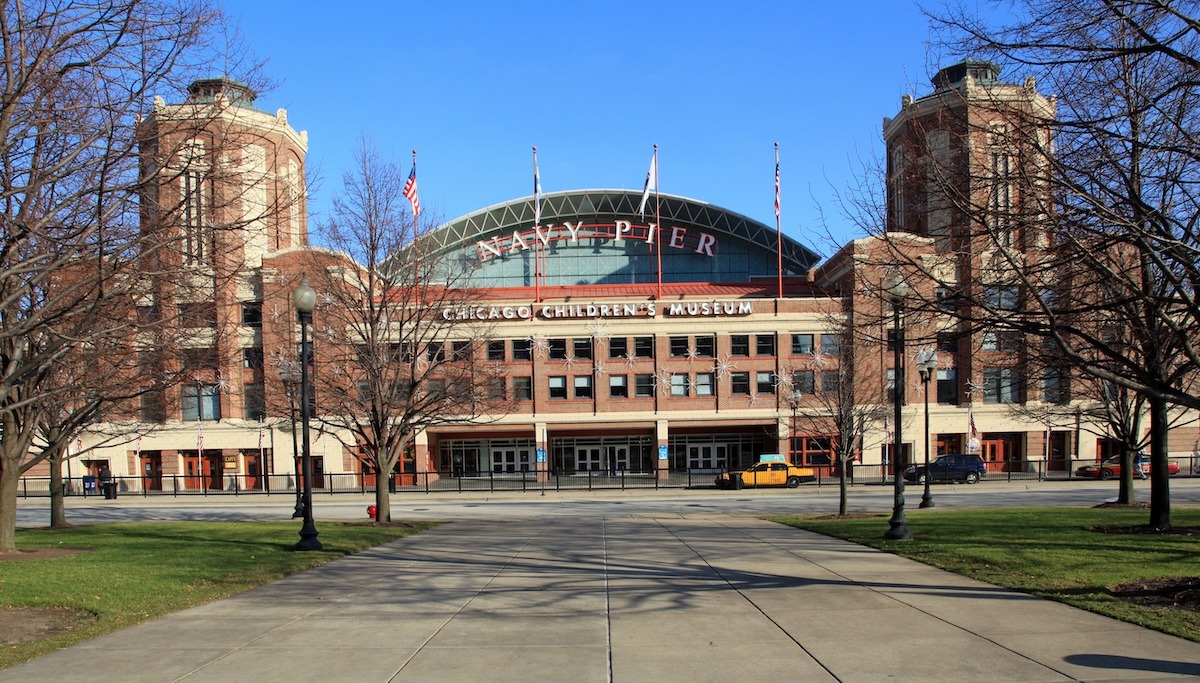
x=808 y=500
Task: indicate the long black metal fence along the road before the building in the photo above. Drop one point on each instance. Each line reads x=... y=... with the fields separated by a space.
x=495 y=482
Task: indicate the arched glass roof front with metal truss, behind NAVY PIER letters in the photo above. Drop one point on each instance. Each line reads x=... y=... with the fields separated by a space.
x=593 y=237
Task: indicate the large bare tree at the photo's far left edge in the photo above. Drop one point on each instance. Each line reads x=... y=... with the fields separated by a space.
x=79 y=79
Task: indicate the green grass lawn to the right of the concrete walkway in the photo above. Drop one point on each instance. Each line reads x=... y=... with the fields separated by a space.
x=1053 y=553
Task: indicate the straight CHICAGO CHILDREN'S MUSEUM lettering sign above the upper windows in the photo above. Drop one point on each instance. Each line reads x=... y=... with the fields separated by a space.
x=589 y=311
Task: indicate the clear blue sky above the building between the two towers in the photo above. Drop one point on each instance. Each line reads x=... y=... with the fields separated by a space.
x=473 y=86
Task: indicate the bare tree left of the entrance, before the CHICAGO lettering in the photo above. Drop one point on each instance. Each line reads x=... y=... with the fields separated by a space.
x=393 y=362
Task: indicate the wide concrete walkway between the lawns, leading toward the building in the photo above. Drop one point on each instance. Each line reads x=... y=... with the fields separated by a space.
x=628 y=600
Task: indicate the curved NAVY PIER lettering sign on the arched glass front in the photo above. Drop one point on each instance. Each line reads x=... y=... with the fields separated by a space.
x=675 y=237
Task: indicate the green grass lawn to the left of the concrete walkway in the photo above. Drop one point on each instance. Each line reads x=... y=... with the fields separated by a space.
x=136 y=572
